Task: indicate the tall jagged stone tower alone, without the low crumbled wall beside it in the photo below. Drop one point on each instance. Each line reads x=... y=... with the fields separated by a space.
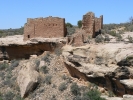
x=91 y=24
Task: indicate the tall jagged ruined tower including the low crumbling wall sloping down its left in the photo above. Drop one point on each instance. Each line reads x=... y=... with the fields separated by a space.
x=91 y=27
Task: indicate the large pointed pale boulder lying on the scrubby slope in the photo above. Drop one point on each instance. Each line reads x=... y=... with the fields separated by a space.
x=27 y=78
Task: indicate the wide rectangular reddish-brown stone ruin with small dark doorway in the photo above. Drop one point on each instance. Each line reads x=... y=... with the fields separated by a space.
x=49 y=27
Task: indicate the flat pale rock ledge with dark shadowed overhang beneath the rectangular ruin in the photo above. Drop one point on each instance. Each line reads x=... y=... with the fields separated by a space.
x=13 y=47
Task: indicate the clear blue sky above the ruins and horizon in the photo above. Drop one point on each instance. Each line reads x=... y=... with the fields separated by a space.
x=14 y=13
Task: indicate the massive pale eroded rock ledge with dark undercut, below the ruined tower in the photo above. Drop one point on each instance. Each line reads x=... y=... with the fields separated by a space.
x=107 y=65
